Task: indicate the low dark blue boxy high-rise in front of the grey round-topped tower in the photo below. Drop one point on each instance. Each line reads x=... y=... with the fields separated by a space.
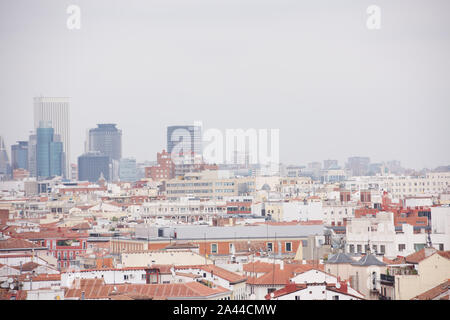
x=92 y=165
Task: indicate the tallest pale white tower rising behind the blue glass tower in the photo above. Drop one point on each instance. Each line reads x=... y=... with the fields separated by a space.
x=57 y=111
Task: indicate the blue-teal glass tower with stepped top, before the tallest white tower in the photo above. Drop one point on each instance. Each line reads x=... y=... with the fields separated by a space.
x=49 y=152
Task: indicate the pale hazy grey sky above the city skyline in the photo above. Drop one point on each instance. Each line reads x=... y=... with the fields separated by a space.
x=313 y=69
